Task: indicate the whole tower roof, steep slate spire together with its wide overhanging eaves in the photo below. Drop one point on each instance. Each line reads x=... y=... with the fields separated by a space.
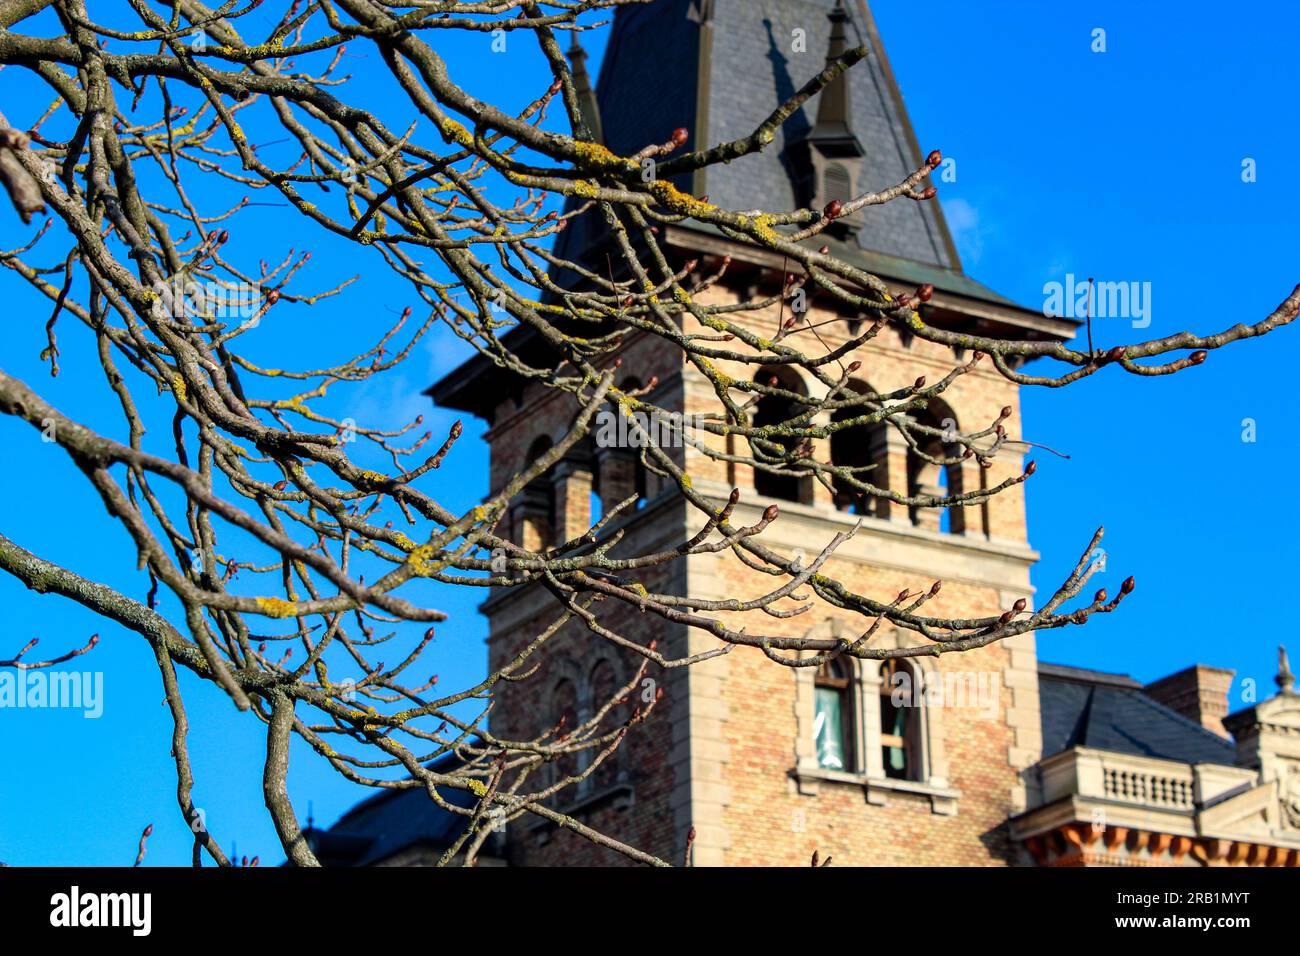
x=717 y=68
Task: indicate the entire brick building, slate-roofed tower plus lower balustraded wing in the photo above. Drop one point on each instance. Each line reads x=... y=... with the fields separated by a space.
x=987 y=758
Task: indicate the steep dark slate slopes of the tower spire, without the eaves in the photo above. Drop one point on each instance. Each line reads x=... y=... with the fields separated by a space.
x=661 y=72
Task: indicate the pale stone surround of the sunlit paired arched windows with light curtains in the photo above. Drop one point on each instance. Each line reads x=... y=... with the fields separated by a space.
x=865 y=733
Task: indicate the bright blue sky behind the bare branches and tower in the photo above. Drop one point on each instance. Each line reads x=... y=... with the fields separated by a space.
x=1125 y=166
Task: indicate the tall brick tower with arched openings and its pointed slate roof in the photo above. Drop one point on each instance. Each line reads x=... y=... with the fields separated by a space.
x=769 y=763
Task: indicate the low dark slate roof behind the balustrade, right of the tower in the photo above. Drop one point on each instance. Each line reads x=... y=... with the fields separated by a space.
x=1111 y=712
